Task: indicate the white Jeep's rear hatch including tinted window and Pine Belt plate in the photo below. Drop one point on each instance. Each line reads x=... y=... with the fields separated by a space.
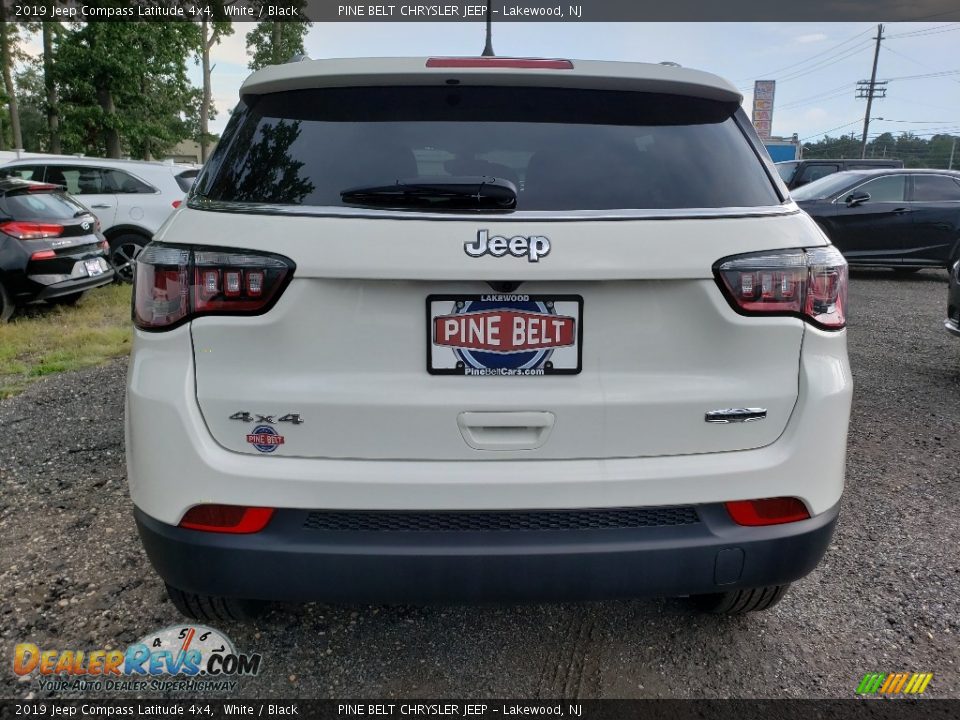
x=583 y=323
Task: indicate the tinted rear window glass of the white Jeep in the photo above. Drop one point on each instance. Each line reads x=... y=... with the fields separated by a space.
x=563 y=149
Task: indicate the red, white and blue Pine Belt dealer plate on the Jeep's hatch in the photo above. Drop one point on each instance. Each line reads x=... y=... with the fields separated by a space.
x=504 y=335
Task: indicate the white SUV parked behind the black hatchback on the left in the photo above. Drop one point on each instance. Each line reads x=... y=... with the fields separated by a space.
x=130 y=198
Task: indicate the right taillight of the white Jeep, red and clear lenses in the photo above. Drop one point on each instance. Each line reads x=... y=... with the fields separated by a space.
x=810 y=284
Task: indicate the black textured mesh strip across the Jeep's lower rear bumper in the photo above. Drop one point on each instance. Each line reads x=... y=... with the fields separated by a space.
x=599 y=519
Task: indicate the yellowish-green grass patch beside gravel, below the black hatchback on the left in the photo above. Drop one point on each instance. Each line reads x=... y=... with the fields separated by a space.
x=45 y=339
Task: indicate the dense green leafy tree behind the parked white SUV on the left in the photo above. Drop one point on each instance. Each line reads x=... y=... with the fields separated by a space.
x=125 y=84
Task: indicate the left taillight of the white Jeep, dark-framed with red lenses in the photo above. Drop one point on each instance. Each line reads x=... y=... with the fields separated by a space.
x=174 y=284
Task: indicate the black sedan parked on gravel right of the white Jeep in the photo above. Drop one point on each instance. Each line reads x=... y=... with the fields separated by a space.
x=904 y=219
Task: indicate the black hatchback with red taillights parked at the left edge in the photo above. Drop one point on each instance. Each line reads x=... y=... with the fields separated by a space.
x=50 y=246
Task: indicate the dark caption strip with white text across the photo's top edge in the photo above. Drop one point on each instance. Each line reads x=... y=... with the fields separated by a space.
x=476 y=10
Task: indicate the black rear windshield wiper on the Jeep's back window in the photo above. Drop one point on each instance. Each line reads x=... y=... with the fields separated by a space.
x=447 y=193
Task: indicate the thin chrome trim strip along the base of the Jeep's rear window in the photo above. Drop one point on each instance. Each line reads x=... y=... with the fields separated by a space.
x=786 y=208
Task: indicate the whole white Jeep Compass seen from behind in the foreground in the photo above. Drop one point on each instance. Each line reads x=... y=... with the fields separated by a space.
x=486 y=328
